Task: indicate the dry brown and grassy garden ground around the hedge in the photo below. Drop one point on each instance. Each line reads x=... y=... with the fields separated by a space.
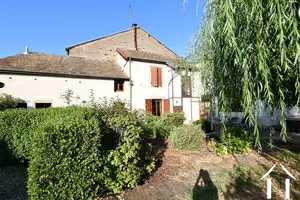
x=195 y=175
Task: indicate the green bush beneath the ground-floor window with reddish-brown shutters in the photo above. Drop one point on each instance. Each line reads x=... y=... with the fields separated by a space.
x=160 y=127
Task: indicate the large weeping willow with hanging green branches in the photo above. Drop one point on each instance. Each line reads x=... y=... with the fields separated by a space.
x=249 y=51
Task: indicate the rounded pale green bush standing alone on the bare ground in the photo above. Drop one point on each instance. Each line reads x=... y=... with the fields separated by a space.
x=187 y=137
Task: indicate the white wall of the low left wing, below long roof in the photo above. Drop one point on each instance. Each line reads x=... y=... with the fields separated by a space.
x=45 y=89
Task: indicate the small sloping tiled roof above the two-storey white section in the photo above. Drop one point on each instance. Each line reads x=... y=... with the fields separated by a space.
x=143 y=55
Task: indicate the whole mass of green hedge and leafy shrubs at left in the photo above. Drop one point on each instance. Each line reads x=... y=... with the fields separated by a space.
x=78 y=152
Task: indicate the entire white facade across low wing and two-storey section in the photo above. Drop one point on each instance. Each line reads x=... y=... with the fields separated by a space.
x=34 y=89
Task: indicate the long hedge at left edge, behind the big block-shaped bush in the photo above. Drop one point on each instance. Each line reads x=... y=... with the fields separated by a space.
x=17 y=126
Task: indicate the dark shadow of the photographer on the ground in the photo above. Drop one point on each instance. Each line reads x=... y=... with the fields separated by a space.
x=204 y=188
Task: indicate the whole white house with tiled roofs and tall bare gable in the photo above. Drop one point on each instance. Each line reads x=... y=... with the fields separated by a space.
x=130 y=64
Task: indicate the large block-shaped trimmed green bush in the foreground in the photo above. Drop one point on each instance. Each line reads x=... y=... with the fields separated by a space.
x=67 y=159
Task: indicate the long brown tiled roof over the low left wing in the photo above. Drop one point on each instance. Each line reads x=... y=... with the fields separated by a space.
x=69 y=65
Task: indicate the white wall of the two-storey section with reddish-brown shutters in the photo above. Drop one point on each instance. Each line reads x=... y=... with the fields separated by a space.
x=171 y=88
